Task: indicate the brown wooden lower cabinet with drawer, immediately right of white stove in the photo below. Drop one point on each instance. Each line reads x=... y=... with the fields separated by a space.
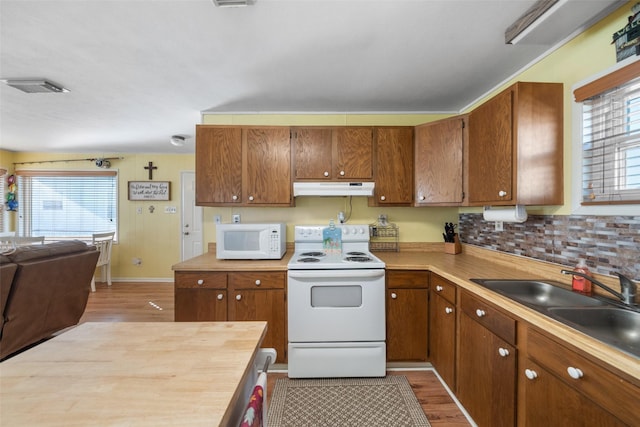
x=407 y=315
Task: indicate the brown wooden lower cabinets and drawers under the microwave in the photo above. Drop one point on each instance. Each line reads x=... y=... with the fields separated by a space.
x=235 y=296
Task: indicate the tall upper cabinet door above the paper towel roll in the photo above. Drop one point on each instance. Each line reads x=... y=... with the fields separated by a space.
x=491 y=148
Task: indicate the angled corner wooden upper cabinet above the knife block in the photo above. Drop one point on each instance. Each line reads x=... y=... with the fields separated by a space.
x=439 y=162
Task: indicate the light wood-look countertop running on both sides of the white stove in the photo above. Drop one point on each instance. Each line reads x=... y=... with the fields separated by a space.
x=473 y=262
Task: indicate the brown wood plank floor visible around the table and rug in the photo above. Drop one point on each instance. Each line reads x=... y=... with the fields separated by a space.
x=153 y=302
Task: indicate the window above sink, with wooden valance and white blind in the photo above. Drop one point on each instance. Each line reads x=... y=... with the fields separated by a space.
x=608 y=146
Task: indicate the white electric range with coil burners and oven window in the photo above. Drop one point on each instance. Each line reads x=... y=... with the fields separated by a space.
x=336 y=306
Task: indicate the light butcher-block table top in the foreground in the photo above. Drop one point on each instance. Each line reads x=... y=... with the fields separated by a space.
x=133 y=374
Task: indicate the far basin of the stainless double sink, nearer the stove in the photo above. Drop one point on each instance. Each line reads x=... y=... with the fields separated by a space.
x=538 y=293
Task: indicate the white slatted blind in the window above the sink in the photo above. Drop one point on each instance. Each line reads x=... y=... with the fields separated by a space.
x=611 y=146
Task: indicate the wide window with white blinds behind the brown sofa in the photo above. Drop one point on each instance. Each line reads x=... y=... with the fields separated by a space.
x=67 y=204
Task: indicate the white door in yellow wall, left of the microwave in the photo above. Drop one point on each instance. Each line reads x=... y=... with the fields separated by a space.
x=192 y=219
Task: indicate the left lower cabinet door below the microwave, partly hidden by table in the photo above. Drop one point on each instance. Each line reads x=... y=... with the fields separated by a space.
x=200 y=305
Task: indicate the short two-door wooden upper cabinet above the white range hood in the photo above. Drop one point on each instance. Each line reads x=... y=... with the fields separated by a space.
x=332 y=153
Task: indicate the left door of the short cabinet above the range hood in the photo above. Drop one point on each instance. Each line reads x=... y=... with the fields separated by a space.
x=312 y=153
